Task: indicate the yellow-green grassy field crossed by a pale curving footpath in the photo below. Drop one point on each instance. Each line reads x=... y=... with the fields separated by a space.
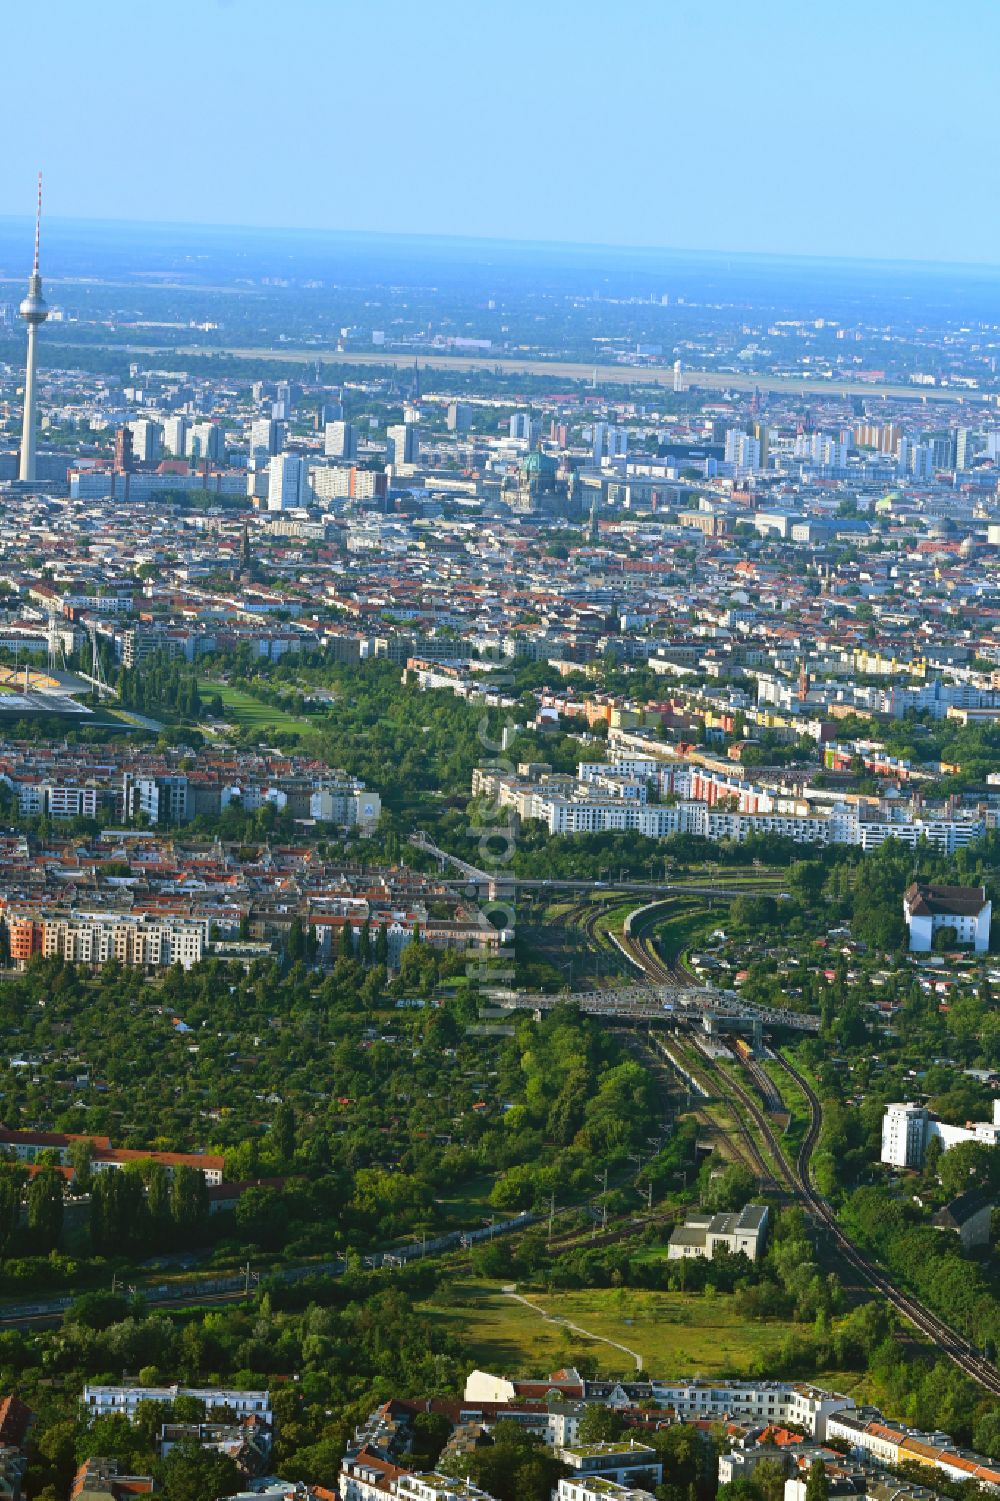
x=678 y=1335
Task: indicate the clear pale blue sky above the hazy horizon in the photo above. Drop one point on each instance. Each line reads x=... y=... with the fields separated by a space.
x=864 y=128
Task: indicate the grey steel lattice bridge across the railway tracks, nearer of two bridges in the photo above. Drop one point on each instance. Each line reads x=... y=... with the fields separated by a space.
x=715 y=1011
